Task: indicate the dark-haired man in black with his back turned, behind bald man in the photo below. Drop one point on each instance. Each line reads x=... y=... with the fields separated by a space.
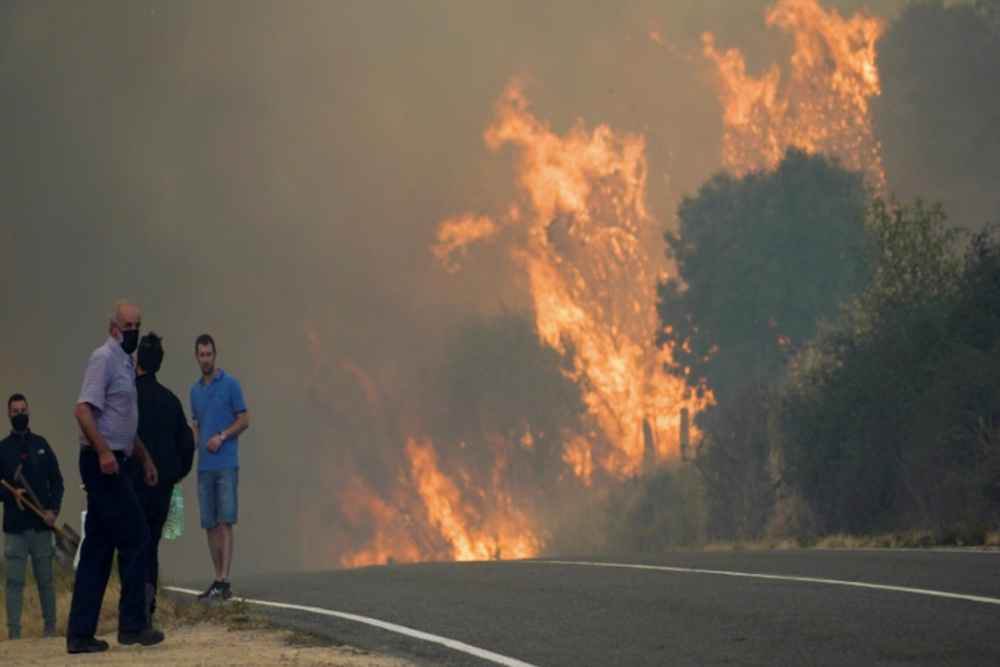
x=164 y=430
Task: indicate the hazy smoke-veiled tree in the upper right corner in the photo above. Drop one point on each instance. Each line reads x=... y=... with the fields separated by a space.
x=937 y=115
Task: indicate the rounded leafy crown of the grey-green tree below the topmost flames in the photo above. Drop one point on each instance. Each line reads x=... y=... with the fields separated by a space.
x=760 y=259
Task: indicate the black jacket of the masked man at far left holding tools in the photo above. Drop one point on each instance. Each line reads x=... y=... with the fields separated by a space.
x=41 y=468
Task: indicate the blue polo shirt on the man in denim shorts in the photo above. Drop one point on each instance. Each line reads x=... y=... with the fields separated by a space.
x=215 y=407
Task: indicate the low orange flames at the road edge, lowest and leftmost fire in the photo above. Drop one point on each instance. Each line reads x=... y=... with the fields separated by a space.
x=426 y=510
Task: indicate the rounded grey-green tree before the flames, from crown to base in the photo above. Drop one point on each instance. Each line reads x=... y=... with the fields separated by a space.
x=760 y=259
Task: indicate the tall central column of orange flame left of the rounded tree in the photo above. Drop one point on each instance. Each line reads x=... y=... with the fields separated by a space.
x=591 y=256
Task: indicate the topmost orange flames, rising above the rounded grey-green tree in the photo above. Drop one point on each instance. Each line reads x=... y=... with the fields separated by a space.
x=819 y=102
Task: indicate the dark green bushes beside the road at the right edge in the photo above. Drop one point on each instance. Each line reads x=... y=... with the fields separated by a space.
x=889 y=420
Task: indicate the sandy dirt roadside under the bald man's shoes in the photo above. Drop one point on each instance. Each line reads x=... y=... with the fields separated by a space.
x=205 y=644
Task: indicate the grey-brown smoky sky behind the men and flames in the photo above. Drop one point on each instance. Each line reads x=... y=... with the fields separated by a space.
x=258 y=170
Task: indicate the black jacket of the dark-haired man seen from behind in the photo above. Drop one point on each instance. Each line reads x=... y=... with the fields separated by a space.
x=164 y=430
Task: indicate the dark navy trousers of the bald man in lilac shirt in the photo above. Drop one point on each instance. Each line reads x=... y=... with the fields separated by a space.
x=114 y=522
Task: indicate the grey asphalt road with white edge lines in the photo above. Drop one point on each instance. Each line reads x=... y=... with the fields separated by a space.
x=557 y=614
